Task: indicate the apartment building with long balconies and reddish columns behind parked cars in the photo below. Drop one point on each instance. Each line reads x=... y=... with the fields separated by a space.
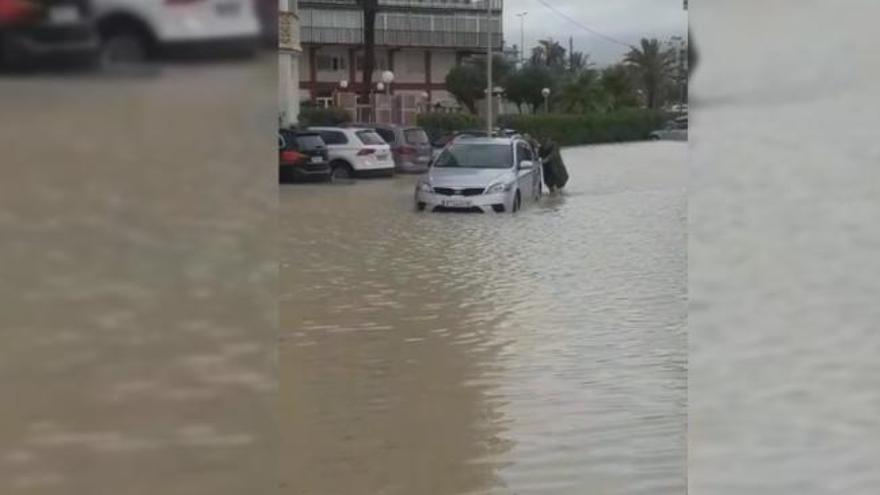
x=419 y=41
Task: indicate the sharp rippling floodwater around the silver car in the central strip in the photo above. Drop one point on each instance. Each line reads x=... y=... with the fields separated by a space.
x=543 y=352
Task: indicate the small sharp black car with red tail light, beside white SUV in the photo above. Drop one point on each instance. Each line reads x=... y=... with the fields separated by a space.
x=302 y=156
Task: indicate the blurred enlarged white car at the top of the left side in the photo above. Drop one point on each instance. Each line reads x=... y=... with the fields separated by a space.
x=133 y=30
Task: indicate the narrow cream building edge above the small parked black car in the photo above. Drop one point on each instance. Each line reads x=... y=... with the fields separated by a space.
x=289 y=54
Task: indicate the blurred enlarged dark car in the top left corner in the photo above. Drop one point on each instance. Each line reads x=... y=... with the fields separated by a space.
x=57 y=32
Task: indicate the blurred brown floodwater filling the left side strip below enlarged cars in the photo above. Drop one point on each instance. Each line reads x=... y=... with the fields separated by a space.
x=138 y=283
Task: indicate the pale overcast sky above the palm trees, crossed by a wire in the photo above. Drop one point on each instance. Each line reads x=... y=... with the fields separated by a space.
x=627 y=20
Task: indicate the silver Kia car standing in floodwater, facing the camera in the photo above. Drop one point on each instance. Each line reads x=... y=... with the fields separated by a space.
x=482 y=175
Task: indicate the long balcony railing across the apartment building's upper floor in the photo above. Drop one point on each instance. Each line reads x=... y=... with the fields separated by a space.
x=438 y=39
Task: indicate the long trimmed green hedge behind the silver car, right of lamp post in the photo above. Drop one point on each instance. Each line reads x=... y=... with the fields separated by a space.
x=572 y=130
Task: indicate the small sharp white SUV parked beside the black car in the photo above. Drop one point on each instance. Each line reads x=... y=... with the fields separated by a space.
x=356 y=152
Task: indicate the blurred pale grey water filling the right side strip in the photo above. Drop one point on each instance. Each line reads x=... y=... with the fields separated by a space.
x=784 y=267
